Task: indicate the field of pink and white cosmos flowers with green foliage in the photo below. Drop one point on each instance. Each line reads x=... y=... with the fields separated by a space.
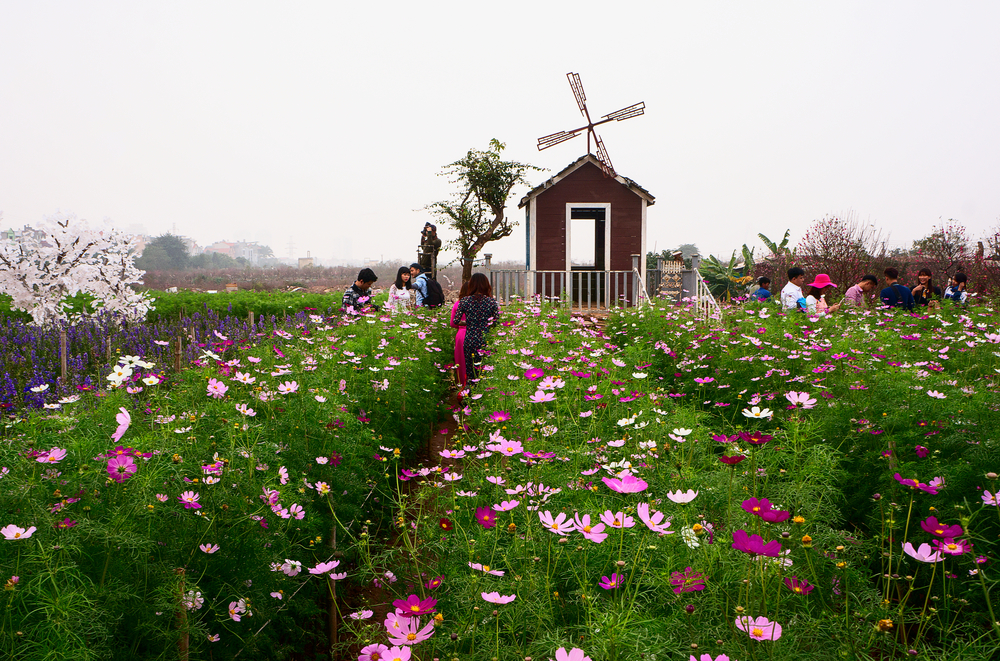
x=646 y=486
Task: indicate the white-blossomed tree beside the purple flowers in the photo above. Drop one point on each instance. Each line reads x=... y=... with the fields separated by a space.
x=63 y=257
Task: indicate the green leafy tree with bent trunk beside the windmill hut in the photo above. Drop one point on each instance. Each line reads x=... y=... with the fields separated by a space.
x=477 y=210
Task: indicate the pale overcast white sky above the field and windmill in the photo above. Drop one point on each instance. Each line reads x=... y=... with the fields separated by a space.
x=323 y=126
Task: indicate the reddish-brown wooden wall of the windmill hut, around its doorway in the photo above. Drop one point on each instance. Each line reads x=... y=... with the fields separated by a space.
x=587 y=184
